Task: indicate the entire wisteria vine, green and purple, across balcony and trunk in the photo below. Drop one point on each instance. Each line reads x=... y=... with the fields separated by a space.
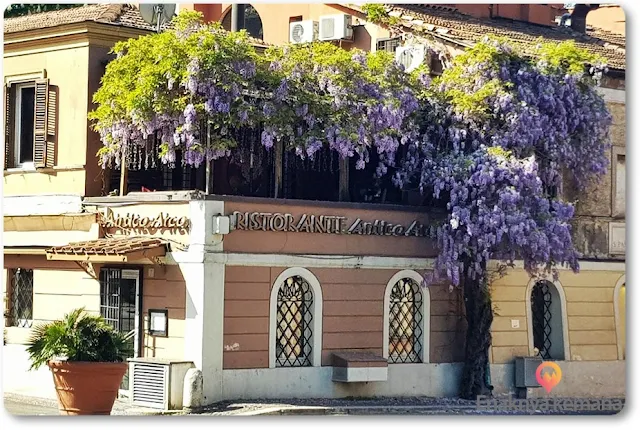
x=487 y=139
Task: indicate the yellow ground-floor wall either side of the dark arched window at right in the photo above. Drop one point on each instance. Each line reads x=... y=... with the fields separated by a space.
x=590 y=315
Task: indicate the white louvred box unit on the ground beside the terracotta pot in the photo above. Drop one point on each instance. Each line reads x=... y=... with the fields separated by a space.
x=157 y=383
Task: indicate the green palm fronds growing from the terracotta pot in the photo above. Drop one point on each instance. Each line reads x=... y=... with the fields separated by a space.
x=77 y=337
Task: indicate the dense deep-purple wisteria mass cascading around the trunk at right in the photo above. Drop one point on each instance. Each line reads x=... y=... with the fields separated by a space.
x=503 y=129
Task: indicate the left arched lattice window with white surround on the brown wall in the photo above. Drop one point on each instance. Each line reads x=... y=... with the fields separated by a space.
x=295 y=335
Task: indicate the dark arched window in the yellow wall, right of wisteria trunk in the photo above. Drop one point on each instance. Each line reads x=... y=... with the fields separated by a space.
x=547 y=320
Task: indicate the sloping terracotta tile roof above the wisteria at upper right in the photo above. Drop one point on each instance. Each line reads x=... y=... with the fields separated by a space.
x=468 y=30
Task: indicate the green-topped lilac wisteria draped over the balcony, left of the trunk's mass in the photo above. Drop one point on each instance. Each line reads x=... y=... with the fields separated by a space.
x=193 y=85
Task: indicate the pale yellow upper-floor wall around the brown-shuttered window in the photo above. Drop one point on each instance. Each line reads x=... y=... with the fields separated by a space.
x=66 y=68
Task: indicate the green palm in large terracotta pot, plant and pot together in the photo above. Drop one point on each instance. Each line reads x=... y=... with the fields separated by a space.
x=87 y=358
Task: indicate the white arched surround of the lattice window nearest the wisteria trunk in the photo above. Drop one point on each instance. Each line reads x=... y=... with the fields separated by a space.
x=425 y=350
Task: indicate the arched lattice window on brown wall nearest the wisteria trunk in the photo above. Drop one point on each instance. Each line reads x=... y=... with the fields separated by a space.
x=406 y=321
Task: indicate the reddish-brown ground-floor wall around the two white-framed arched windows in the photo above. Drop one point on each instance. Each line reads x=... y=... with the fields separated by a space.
x=352 y=315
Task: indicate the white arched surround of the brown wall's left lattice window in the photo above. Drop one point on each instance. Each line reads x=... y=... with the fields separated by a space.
x=316 y=335
